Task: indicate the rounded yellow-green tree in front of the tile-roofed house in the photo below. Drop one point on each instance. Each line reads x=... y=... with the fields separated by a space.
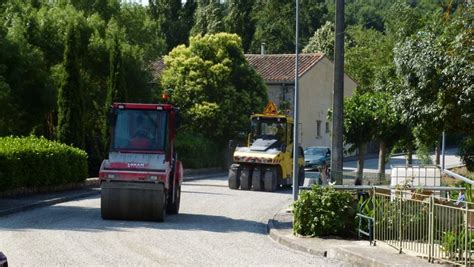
x=214 y=85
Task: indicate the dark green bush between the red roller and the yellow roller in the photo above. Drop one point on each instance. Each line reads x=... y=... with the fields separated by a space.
x=196 y=151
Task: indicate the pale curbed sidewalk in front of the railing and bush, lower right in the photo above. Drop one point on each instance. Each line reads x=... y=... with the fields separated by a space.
x=356 y=252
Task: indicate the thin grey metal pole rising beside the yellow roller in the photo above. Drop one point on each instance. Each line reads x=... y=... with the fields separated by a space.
x=295 y=114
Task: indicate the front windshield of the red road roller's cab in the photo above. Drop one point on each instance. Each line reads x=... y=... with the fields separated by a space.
x=140 y=130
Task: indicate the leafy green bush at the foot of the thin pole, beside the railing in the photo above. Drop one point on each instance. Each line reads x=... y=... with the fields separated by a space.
x=323 y=211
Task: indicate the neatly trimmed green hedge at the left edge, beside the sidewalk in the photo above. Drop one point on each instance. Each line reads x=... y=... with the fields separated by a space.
x=32 y=161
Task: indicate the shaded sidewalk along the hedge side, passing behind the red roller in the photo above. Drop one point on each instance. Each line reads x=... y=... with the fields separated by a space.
x=10 y=205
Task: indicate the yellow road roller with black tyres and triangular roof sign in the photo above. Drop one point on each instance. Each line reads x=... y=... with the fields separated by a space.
x=267 y=160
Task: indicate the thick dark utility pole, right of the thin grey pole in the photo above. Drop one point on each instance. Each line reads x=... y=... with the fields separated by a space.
x=338 y=95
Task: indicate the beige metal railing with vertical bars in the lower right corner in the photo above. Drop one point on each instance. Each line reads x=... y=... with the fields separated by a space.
x=422 y=223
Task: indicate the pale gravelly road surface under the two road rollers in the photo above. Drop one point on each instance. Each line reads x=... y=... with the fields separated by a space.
x=216 y=226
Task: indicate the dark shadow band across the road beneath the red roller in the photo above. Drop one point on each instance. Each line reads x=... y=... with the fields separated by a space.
x=73 y=218
